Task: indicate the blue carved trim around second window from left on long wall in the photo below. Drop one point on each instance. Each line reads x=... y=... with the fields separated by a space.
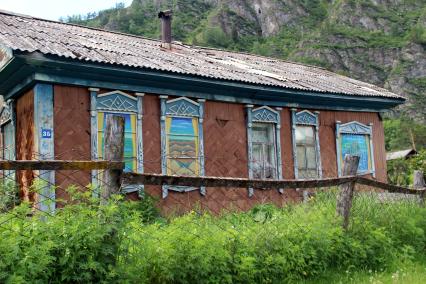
x=181 y=107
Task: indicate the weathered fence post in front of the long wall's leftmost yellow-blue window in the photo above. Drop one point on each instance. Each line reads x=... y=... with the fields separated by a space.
x=113 y=151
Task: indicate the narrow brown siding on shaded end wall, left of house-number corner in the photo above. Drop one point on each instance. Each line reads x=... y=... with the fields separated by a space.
x=25 y=142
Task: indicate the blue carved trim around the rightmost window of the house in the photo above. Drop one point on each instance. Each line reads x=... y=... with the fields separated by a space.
x=354 y=127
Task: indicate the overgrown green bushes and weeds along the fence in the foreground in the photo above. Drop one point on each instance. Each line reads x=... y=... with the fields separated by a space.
x=120 y=242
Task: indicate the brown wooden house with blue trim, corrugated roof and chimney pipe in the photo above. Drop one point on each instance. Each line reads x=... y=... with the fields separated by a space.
x=188 y=111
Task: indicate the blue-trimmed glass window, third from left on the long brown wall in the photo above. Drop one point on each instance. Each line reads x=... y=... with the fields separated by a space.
x=264 y=147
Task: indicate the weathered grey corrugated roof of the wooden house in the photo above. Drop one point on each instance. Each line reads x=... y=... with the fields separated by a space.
x=25 y=33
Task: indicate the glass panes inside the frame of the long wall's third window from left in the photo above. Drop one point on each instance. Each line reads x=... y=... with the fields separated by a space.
x=264 y=165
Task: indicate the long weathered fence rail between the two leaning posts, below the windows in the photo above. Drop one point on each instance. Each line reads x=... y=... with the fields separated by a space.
x=159 y=179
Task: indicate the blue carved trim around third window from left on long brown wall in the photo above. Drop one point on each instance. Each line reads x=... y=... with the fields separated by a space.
x=264 y=114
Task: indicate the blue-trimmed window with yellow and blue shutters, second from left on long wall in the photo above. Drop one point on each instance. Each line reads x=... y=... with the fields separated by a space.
x=182 y=140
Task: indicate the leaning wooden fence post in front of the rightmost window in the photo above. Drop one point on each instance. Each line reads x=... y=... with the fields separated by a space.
x=344 y=200
